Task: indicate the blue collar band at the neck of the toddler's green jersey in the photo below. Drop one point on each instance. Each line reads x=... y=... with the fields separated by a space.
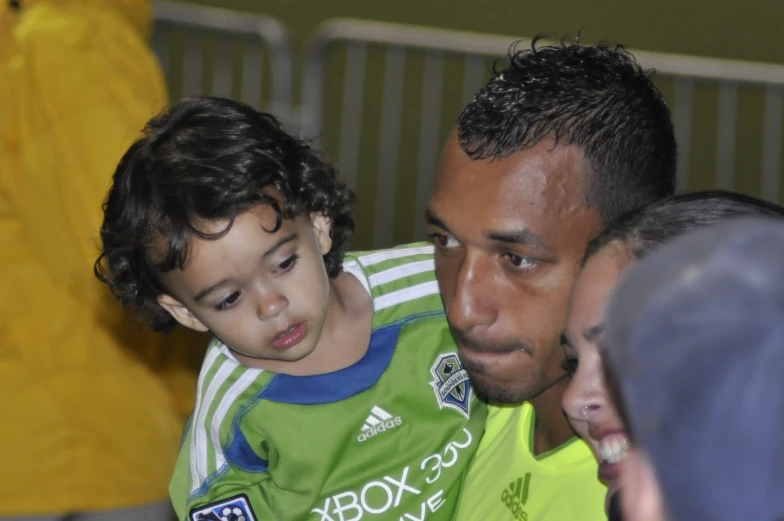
x=339 y=385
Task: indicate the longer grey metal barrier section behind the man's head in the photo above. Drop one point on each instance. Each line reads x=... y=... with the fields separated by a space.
x=397 y=41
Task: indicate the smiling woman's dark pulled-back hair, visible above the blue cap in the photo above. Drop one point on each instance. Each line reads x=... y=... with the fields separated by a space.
x=641 y=231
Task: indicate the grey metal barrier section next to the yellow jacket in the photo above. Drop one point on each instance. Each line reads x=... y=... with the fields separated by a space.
x=222 y=53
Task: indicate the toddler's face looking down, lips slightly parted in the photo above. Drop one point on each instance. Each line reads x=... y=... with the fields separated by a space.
x=265 y=295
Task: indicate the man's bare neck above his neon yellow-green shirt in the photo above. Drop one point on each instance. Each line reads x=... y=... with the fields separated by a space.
x=552 y=429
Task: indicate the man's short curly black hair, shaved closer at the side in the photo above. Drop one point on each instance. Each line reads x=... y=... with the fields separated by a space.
x=596 y=97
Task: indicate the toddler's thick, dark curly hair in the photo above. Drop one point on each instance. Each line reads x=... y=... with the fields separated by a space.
x=207 y=159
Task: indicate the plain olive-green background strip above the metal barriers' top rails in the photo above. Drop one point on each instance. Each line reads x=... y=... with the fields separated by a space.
x=745 y=30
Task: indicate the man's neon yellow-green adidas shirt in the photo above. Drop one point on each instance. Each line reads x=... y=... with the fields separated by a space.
x=506 y=482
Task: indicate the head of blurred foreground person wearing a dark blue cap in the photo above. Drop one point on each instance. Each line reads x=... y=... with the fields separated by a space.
x=695 y=336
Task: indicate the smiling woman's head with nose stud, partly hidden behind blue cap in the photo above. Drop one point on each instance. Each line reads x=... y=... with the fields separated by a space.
x=589 y=402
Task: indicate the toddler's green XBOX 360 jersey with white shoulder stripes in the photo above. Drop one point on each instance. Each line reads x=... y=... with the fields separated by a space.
x=387 y=438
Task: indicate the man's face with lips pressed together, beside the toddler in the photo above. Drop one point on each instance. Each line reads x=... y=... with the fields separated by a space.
x=510 y=235
